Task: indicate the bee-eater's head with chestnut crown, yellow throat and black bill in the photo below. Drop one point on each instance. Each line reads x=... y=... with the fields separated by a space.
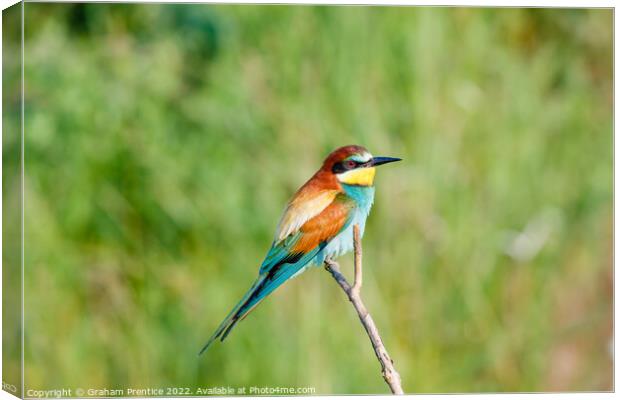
x=354 y=165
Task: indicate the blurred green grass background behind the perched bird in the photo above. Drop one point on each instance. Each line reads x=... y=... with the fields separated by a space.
x=163 y=142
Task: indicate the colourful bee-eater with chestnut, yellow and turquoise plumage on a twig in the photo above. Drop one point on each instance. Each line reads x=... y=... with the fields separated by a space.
x=317 y=224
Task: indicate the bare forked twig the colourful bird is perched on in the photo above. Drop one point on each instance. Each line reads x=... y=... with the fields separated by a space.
x=390 y=375
